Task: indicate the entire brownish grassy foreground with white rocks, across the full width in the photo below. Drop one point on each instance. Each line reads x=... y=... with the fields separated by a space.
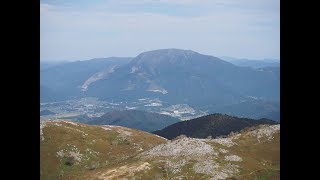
x=78 y=151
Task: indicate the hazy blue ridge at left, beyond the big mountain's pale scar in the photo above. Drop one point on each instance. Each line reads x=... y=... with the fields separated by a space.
x=65 y=79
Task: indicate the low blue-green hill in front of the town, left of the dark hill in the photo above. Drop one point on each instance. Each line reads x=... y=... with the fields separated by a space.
x=141 y=120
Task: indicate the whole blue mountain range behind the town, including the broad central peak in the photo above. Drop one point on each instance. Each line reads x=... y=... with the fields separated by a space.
x=173 y=76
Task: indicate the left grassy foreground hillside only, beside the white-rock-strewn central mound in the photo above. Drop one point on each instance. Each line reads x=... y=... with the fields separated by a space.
x=69 y=150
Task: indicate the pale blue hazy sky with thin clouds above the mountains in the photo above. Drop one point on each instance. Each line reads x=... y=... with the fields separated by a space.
x=84 y=29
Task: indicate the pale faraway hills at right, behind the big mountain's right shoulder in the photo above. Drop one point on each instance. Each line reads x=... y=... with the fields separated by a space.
x=252 y=63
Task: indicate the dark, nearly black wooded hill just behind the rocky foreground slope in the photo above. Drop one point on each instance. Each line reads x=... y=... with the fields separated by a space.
x=211 y=125
